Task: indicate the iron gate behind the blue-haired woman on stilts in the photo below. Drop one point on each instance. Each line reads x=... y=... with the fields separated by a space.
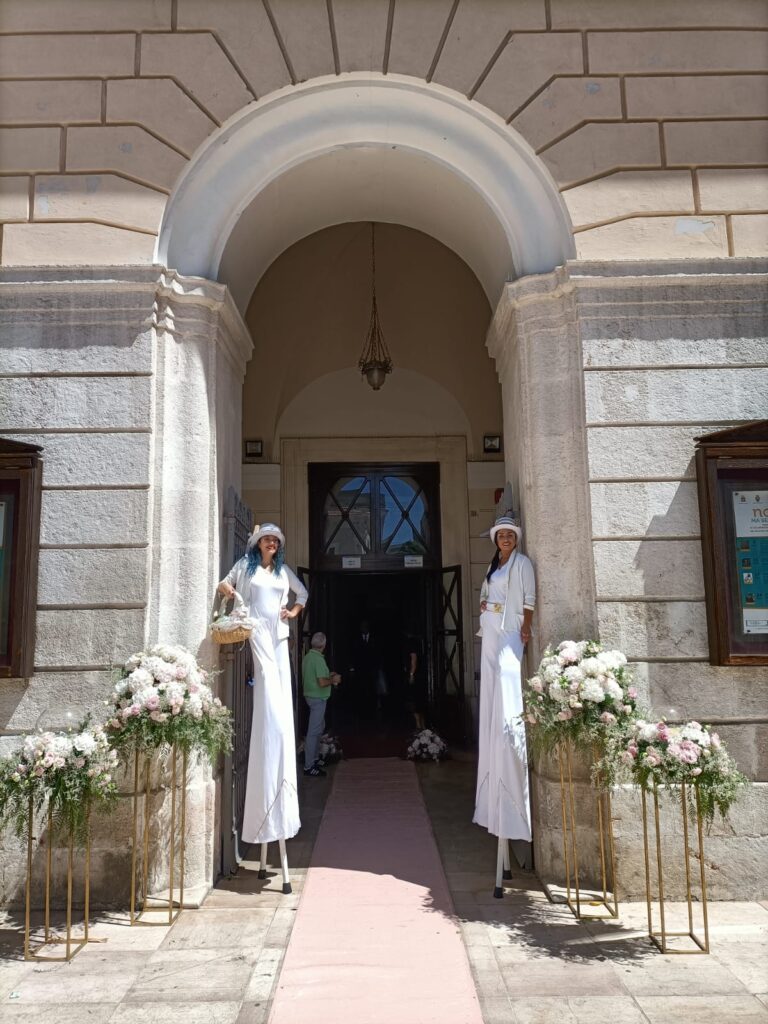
x=236 y=660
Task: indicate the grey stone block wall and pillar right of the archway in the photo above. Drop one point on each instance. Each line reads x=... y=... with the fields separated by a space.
x=657 y=355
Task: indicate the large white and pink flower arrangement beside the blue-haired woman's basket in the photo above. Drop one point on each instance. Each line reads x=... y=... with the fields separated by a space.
x=162 y=697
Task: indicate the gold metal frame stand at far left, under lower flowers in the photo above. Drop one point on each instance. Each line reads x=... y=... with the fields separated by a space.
x=74 y=944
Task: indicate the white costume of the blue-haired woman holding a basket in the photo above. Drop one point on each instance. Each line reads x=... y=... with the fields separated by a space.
x=272 y=810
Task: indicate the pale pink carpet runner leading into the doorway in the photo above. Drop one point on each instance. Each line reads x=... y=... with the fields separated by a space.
x=375 y=941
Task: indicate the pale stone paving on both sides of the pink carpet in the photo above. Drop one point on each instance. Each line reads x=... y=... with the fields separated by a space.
x=532 y=962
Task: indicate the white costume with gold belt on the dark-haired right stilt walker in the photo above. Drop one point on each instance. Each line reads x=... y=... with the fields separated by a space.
x=502 y=802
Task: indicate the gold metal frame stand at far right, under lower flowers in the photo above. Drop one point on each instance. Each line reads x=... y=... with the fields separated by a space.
x=661 y=938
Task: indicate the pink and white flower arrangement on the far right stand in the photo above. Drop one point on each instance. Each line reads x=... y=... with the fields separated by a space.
x=692 y=754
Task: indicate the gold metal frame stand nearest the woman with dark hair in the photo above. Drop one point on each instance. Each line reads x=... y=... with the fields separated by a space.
x=609 y=901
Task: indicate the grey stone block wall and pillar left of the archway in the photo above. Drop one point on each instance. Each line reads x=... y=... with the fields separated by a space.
x=132 y=388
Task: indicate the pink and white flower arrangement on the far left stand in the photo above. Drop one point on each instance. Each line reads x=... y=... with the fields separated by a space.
x=72 y=772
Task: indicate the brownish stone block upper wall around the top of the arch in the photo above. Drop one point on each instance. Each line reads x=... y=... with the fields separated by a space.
x=651 y=118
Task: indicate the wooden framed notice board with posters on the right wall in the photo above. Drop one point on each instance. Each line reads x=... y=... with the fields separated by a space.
x=733 y=476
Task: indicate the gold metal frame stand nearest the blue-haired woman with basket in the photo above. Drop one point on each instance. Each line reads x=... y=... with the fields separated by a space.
x=158 y=904
